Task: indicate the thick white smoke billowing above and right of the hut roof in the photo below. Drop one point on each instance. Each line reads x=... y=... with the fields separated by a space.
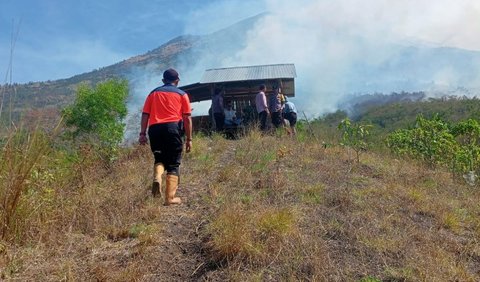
x=333 y=43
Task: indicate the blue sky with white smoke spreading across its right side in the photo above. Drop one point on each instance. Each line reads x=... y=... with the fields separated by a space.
x=323 y=38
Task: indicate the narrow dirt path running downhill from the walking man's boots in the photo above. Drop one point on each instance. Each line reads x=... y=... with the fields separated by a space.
x=180 y=256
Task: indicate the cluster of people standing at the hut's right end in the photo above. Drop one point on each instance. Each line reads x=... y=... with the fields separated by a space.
x=278 y=108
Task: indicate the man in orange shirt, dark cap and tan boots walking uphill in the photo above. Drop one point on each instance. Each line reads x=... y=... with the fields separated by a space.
x=165 y=110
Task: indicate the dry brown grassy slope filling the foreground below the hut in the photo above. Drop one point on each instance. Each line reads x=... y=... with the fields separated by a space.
x=260 y=208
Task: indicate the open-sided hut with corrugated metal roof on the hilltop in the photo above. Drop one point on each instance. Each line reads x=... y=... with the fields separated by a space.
x=241 y=86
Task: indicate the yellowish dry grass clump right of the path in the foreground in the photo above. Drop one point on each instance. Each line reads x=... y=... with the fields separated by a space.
x=252 y=234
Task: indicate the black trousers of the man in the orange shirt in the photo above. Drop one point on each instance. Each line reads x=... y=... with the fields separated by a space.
x=167 y=145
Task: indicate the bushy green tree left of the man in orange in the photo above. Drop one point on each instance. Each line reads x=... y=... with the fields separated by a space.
x=96 y=117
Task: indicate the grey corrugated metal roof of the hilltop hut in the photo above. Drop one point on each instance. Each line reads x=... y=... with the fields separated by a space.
x=249 y=73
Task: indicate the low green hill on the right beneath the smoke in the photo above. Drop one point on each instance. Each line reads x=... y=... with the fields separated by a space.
x=390 y=112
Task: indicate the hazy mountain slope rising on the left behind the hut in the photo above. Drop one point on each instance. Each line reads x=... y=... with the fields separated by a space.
x=58 y=93
